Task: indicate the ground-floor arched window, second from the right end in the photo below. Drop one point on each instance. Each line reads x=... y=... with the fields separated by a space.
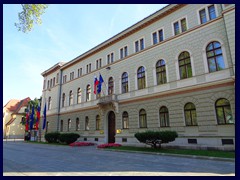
x=190 y=114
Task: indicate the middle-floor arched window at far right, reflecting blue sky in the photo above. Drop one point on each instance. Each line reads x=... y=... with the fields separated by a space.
x=215 y=57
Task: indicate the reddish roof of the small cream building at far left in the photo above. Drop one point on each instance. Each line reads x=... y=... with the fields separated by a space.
x=15 y=105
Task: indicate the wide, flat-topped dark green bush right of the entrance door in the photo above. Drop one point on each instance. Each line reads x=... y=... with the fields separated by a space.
x=155 y=138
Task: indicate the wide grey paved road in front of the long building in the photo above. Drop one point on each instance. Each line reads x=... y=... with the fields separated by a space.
x=23 y=159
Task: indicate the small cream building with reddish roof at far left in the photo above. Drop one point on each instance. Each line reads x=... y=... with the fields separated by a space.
x=13 y=112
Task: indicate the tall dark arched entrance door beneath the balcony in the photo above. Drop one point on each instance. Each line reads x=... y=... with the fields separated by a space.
x=111 y=127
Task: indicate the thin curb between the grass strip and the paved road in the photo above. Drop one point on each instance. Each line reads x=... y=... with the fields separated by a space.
x=175 y=155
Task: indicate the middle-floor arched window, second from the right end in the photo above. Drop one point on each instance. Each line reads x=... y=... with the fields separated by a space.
x=185 y=68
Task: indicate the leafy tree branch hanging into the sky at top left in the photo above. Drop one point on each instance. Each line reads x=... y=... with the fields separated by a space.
x=31 y=14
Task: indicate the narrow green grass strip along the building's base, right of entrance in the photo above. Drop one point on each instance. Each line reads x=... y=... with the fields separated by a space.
x=209 y=153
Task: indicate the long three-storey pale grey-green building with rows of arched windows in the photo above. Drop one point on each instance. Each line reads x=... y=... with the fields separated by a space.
x=173 y=70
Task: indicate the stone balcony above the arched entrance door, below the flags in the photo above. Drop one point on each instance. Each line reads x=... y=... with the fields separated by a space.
x=110 y=100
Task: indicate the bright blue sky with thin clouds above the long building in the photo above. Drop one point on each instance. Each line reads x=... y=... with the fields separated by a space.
x=67 y=31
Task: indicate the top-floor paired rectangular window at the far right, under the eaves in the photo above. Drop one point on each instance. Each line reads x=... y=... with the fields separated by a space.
x=207 y=13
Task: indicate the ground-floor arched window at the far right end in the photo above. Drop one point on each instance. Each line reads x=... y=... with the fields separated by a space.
x=223 y=111
